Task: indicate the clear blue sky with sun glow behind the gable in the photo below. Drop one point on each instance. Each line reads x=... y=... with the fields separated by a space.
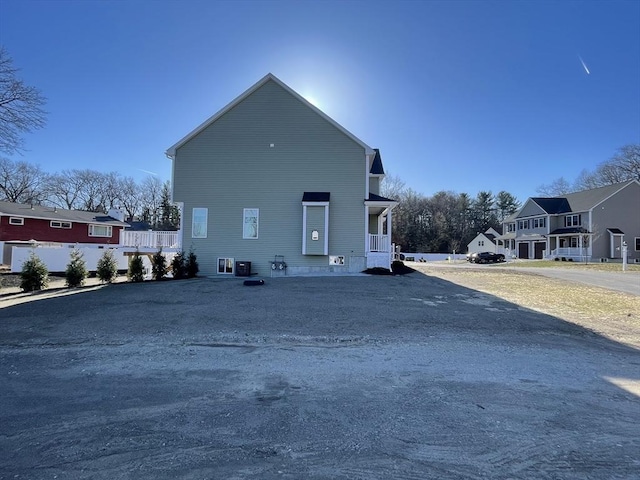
x=458 y=95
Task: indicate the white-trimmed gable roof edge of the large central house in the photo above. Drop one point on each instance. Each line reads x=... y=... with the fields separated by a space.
x=171 y=151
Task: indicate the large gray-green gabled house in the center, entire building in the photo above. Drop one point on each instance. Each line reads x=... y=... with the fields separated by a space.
x=270 y=180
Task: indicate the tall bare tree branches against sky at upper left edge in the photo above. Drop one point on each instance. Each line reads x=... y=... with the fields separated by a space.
x=20 y=107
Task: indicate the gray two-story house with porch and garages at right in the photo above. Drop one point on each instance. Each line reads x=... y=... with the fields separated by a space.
x=588 y=225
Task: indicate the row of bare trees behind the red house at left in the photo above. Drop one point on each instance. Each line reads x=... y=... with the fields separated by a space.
x=90 y=190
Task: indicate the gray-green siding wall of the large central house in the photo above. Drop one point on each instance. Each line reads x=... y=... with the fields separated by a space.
x=231 y=165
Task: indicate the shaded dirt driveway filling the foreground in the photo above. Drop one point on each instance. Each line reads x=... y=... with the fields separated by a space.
x=406 y=377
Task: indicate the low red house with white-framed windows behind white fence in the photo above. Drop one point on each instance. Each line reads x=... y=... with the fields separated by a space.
x=22 y=224
